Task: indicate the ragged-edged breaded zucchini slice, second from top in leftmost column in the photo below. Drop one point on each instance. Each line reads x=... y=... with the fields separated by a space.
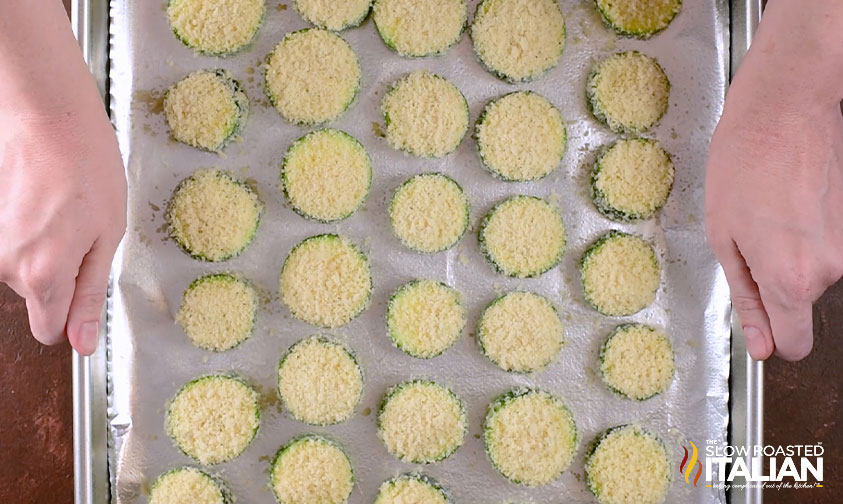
x=206 y=109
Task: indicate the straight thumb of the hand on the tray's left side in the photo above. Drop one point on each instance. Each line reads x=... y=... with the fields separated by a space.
x=88 y=298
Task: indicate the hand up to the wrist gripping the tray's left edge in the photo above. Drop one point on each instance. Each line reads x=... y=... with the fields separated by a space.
x=62 y=215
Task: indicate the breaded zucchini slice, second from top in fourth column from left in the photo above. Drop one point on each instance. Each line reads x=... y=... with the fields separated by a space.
x=521 y=136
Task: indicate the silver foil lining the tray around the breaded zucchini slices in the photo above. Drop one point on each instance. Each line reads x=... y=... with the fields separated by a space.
x=151 y=358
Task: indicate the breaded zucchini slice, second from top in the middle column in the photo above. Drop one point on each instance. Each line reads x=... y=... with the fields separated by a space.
x=425 y=115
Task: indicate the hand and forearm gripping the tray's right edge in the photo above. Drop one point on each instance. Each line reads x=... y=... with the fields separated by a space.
x=774 y=193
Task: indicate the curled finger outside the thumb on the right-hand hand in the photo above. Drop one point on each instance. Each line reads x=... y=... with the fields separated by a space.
x=792 y=325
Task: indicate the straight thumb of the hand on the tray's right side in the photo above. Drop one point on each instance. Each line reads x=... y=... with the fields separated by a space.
x=747 y=302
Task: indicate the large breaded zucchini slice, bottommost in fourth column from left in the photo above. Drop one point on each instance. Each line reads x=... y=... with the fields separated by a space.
x=530 y=436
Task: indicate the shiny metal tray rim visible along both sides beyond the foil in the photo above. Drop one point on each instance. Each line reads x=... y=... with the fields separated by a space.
x=91 y=414
